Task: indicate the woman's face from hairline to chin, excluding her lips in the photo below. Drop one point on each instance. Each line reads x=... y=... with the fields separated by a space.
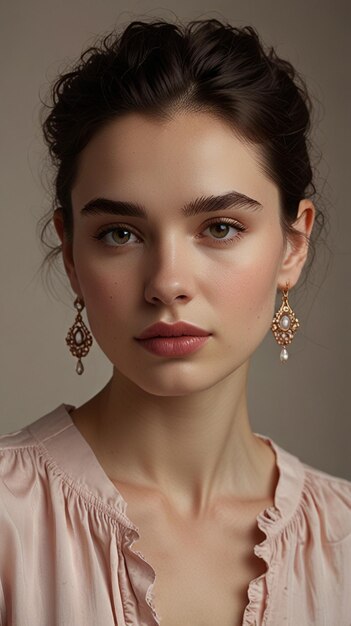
x=218 y=270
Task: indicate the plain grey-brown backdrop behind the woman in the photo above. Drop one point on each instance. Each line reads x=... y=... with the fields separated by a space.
x=305 y=405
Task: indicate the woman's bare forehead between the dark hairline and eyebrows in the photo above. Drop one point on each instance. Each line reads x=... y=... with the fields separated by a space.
x=191 y=154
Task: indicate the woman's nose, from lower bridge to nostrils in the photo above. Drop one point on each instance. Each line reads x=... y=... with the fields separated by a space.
x=169 y=275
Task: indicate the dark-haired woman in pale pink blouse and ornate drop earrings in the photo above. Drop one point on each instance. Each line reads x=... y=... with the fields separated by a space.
x=183 y=206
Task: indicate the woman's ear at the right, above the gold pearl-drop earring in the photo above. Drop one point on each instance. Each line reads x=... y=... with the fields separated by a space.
x=296 y=248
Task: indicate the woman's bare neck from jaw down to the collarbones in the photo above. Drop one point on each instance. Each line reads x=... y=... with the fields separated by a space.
x=193 y=449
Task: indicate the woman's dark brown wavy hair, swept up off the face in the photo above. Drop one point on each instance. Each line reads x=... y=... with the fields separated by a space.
x=159 y=68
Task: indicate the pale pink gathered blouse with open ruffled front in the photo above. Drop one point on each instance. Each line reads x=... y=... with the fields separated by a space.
x=66 y=554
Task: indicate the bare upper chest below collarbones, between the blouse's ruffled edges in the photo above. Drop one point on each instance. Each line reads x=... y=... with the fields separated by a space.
x=203 y=568
